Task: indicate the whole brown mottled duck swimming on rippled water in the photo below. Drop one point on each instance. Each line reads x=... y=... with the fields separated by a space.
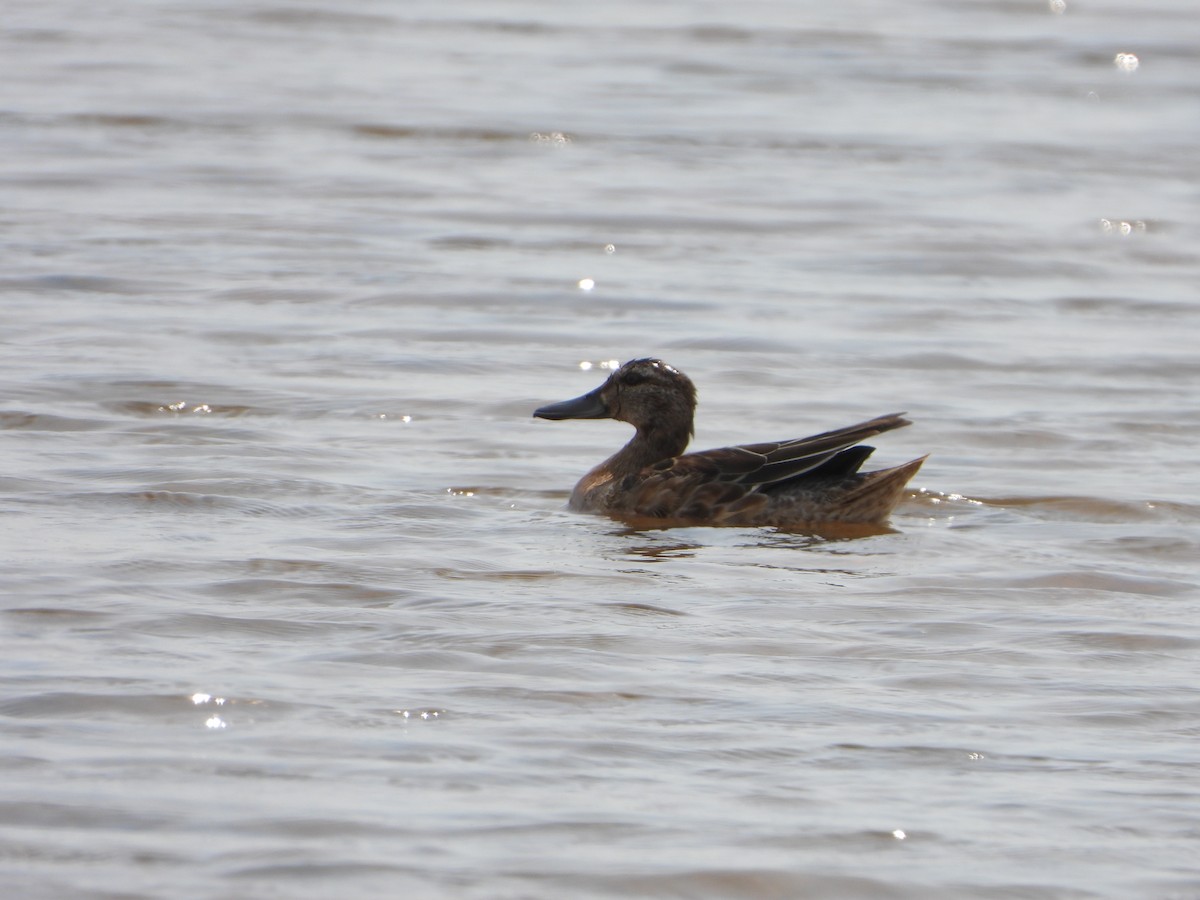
x=803 y=483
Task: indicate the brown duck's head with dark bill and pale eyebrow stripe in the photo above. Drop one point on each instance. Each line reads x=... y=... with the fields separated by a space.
x=646 y=393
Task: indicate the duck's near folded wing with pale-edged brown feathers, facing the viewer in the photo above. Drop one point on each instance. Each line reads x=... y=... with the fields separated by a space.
x=735 y=478
